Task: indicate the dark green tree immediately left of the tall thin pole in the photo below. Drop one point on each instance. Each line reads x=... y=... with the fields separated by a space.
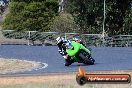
x=87 y=14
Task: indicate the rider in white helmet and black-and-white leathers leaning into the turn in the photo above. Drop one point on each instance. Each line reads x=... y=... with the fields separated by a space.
x=63 y=45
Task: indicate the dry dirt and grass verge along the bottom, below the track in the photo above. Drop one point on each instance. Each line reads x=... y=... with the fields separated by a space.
x=67 y=80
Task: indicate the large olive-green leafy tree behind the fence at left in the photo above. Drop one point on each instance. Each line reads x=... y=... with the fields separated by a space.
x=31 y=15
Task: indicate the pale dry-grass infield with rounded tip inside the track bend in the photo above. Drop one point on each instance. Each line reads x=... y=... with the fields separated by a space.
x=15 y=65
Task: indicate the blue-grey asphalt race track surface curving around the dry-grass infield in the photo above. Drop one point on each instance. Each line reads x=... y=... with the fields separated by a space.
x=107 y=58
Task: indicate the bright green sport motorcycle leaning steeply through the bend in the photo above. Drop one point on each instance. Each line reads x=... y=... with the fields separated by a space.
x=79 y=53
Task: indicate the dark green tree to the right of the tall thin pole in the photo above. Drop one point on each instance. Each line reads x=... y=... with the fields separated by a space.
x=118 y=16
